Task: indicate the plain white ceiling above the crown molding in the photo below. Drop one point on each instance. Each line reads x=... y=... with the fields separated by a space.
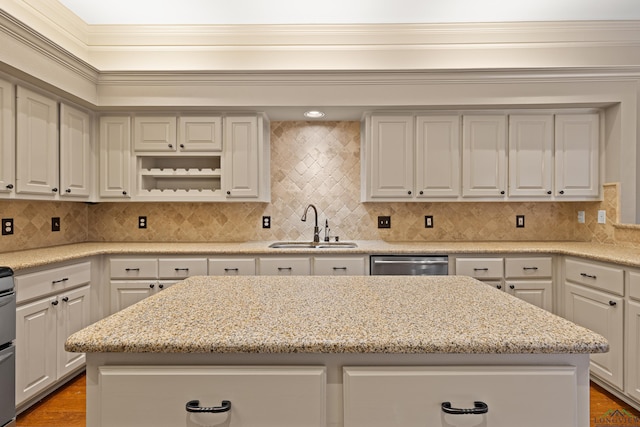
x=225 y=12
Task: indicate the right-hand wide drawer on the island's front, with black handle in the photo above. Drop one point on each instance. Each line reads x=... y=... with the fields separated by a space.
x=413 y=396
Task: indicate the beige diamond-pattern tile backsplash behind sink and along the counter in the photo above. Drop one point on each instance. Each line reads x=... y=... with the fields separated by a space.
x=319 y=163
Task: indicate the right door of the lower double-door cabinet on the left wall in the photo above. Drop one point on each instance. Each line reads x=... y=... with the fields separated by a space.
x=73 y=314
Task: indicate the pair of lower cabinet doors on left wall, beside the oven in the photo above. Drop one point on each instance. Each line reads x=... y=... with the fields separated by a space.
x=42 y=327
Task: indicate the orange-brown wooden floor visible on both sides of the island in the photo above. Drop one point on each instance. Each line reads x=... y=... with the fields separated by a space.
x=66 y=407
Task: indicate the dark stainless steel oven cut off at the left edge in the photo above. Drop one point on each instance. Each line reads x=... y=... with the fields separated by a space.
x=7 y=348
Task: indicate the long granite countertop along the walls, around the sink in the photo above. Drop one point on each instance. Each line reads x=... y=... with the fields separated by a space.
x=20 y=260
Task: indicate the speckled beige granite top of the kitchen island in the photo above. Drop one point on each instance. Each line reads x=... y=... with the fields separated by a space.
x=319 y=314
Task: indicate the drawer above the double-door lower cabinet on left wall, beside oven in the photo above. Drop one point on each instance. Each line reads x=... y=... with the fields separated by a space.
x=33 y=285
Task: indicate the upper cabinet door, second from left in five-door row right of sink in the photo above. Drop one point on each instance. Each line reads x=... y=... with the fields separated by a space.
x=438 y=156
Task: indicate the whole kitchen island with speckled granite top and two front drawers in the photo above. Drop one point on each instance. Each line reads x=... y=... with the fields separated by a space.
x=333 y=351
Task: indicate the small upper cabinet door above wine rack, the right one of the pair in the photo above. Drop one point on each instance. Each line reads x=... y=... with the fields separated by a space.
x=199 y=134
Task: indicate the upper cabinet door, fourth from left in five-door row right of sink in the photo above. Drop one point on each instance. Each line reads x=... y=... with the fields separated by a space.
x=531 y=155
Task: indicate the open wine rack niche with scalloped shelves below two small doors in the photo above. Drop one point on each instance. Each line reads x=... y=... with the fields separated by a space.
x=180 y=177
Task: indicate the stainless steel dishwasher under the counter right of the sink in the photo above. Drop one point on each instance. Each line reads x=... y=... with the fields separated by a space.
x=409 y=265
